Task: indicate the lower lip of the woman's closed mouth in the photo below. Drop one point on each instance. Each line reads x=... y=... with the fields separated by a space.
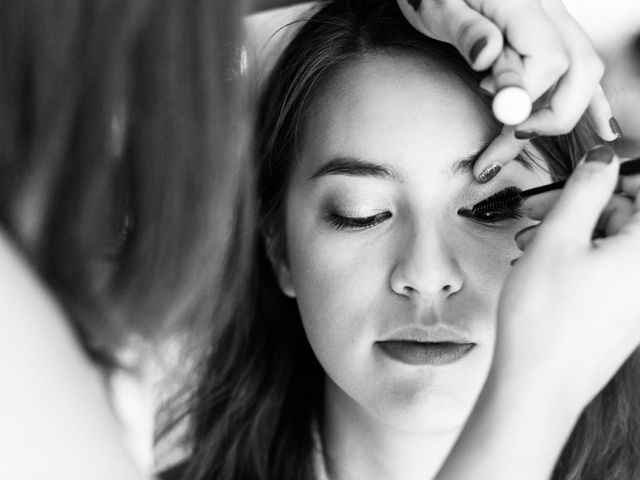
x=425 y=353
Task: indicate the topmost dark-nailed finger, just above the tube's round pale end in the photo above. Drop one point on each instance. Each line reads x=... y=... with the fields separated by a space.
x=477 y=38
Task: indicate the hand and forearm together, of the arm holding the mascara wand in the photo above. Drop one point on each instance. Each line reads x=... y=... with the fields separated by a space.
x=568 y=317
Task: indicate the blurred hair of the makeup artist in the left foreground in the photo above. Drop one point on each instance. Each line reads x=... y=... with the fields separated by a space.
x=121 y=177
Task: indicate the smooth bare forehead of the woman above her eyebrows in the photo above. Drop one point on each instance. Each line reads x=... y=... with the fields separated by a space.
x=393 y=106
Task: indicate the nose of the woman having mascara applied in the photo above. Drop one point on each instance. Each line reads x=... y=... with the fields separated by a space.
x=426 y=265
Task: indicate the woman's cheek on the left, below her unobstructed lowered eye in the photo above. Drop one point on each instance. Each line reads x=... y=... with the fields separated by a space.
x=336 y=288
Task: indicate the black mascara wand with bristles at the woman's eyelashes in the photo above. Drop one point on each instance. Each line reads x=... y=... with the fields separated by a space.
x=511 y=198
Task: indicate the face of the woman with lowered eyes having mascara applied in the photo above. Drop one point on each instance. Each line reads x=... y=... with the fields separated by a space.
x=397 y=292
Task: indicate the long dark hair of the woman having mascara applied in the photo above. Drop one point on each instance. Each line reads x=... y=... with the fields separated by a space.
x=261 y=390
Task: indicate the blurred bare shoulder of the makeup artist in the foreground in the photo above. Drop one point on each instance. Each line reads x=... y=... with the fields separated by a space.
x=57 y=421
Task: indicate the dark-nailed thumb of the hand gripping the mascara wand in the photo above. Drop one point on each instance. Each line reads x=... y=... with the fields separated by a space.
x=585 y=195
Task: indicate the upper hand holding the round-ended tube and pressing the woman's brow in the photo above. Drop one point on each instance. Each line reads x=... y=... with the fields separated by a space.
x=547 y=53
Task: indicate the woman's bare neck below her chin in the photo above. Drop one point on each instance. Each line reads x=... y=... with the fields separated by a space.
x=358 y=445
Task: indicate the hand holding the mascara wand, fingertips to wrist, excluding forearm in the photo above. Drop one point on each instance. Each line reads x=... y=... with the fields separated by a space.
x=569 y=314
